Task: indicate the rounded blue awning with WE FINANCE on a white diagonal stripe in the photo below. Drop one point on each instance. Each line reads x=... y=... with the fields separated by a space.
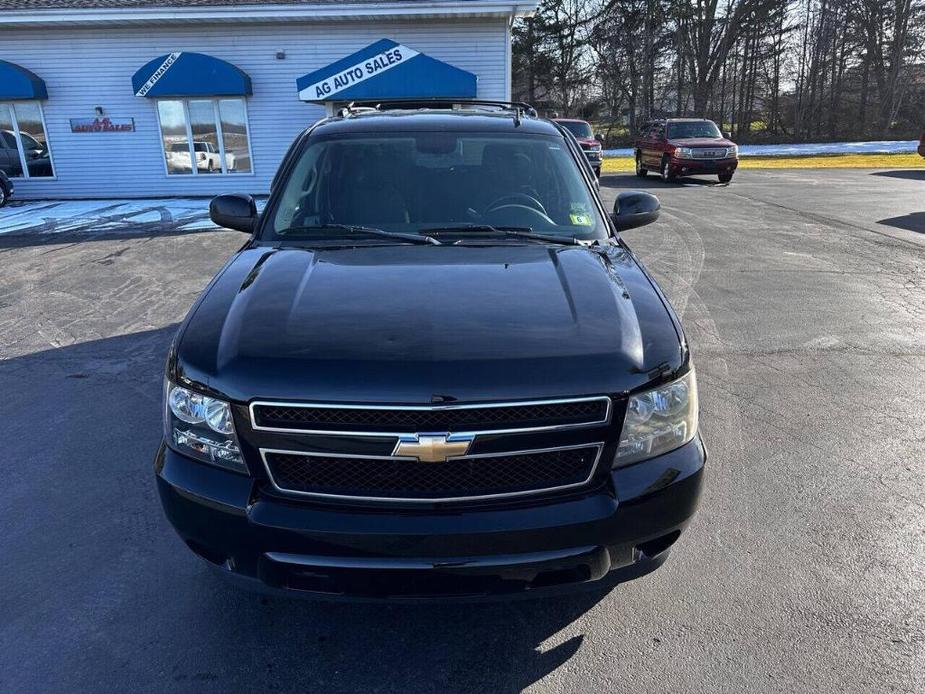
x=190 y=74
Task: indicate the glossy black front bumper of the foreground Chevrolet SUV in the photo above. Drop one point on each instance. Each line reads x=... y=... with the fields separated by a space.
x=615 y=532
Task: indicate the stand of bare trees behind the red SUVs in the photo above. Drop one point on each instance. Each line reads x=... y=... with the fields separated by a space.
x=801 y=69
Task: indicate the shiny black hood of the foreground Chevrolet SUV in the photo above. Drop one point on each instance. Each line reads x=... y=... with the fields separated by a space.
x=401 y=324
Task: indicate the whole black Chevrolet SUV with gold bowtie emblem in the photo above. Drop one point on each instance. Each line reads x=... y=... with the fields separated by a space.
x=434 y=370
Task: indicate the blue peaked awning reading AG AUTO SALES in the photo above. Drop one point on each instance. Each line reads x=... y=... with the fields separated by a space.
x=387 y=70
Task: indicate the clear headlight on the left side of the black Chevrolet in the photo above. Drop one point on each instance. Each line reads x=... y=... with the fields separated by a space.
x=202 y=428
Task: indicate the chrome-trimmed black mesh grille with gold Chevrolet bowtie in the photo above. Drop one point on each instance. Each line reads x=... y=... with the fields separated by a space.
x=430 y=453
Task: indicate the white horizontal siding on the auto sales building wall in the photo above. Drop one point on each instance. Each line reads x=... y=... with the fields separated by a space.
x=84 y=68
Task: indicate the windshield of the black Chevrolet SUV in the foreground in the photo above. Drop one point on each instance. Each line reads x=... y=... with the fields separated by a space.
x=436 y=182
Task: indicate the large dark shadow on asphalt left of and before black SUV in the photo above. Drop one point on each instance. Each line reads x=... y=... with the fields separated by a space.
x=104 y=597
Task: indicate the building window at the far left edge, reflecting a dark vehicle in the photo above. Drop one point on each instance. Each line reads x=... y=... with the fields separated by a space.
x=23 y=144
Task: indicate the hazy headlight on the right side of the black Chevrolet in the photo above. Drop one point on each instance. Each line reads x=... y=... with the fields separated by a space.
x=658 y=421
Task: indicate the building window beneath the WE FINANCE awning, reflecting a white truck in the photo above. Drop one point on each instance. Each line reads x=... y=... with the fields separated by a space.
x=205 y=136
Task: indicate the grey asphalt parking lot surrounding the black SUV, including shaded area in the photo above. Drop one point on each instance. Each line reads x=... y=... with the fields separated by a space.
x=803 y=294
